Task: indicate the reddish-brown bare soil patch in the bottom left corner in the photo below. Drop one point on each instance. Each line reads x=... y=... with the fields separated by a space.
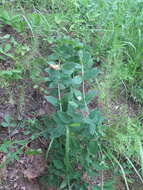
x=22 y=174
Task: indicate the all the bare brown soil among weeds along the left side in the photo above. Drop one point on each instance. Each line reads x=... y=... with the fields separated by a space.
x=21 y=101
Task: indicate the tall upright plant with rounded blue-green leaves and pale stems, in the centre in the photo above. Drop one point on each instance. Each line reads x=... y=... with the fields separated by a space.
x=68 y=70
